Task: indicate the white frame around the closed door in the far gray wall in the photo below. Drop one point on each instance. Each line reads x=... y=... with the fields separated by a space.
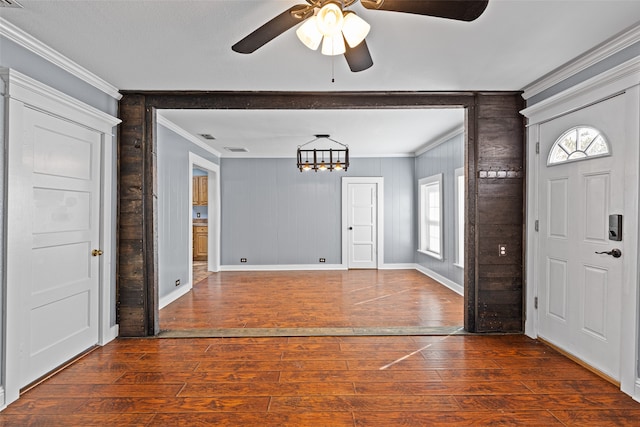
x=379 y=182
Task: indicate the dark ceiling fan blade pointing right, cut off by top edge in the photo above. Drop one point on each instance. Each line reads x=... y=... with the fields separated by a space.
x=461 y=10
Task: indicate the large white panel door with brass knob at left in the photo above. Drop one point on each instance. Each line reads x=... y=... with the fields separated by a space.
x=61 y=182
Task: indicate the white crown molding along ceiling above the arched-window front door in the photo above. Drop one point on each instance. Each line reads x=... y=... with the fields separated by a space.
x=592 y=57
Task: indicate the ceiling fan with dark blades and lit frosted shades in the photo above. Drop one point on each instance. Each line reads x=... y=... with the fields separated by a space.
x=342 y=32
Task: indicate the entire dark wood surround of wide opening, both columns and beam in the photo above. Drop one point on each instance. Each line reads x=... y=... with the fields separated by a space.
x=494 y=209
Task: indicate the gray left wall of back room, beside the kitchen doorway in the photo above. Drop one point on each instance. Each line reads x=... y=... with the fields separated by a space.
x=173 y=207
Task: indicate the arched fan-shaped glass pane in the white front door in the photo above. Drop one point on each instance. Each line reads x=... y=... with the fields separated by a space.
x=578 y=143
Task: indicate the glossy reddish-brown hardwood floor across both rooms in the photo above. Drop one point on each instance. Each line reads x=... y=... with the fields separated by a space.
x=445 y=380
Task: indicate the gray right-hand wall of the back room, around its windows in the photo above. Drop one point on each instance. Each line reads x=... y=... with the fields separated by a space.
x=445 y=159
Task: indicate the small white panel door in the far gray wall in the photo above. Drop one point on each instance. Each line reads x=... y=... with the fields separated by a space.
x=362 y=223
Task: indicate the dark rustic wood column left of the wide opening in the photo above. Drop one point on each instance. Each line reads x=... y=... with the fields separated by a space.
x=137 y=207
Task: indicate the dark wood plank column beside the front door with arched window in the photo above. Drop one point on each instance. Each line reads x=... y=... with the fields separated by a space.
x=500 y=180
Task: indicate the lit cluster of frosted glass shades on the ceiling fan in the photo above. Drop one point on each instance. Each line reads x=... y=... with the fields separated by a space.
x=331 y=27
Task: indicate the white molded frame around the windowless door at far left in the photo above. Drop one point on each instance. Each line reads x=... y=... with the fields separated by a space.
x=23 y=92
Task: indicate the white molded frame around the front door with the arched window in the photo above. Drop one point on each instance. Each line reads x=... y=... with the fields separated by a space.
x=625 y=79
